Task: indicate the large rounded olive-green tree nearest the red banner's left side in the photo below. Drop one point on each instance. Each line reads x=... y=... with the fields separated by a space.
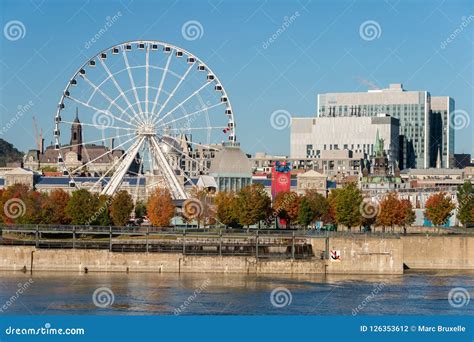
x=253 y=204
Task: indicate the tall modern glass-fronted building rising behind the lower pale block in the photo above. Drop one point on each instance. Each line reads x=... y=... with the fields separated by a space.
x=412 y=108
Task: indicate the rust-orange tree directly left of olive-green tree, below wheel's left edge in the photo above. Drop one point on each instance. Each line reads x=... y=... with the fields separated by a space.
x=54 y=207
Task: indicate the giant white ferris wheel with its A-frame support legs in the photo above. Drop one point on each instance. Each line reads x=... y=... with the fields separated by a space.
x=140 y=100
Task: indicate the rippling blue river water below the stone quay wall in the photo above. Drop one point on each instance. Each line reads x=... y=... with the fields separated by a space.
x=414 y=293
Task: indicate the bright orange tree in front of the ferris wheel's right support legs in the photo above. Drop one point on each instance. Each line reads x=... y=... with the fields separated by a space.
x=160 y=207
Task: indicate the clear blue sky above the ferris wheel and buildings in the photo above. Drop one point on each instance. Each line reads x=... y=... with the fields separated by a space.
x=320 y=50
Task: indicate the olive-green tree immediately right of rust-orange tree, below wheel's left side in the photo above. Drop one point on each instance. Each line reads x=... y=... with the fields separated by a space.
x=83 y=207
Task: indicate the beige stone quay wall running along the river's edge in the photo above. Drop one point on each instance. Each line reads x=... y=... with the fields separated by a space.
x=332 y=255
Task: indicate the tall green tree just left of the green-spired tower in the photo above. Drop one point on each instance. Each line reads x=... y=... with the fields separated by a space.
x=348 y=204
